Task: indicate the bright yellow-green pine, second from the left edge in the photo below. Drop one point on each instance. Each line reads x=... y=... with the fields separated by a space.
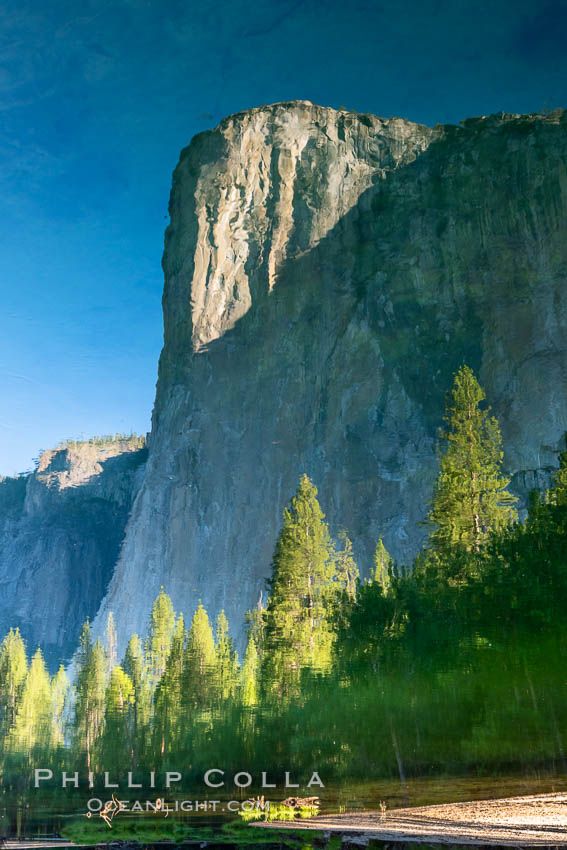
x=33 y=726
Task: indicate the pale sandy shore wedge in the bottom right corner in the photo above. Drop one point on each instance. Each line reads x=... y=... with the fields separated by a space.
x=534 y=821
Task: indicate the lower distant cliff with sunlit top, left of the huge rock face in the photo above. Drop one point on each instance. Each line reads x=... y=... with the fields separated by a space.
x=60 y=534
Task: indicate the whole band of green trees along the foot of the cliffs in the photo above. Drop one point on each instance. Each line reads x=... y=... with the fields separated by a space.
x=453 y=661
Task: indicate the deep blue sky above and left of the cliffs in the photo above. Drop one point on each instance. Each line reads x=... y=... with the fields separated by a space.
x=97 y=98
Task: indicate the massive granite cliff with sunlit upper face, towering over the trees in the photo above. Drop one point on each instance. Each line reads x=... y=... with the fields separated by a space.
x=325 y=274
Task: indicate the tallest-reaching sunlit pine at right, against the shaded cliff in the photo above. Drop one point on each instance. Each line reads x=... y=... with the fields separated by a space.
x=470 y=497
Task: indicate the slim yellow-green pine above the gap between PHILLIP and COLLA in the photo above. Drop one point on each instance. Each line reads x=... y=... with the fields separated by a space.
x=199 y=671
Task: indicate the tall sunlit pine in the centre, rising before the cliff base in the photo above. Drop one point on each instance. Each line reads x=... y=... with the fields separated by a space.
x=297 y=632
